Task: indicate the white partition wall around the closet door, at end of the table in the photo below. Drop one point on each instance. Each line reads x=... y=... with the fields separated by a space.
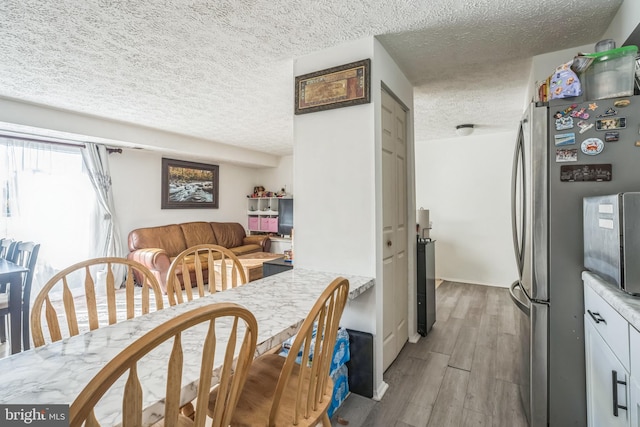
x=337 y=174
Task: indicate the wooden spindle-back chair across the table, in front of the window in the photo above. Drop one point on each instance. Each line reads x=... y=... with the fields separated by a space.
x=83 y=307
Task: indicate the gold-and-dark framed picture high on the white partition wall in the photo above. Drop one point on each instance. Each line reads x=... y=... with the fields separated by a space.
x=336 y=87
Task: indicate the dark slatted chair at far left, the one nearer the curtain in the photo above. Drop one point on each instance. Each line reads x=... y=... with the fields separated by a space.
x=26 y=255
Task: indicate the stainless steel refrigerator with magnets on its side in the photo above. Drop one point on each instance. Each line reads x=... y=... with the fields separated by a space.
x=565 y=151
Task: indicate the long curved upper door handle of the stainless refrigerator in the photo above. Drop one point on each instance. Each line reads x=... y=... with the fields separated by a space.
x=517 y=230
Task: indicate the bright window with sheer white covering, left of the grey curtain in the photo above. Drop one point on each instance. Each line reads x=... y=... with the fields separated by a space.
x=47 y=198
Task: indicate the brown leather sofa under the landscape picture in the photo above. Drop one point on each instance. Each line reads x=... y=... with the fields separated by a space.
x=156 y=247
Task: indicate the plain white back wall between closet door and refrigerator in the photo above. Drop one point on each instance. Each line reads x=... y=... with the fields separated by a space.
x=465 y=184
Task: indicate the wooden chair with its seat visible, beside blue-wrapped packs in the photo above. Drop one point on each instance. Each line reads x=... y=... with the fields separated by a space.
x=282 y=392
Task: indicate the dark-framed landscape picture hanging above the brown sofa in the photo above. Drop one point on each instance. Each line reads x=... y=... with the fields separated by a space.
x=188 y=185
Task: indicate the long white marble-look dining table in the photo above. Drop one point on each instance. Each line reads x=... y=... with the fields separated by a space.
x=56 y=373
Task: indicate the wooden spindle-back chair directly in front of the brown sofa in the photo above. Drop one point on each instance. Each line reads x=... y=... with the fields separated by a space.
x=227 y=272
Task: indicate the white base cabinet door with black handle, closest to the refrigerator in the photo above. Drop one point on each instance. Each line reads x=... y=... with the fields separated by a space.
x=602 y=397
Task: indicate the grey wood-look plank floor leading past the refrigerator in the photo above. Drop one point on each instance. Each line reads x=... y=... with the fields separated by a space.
x=463 y=373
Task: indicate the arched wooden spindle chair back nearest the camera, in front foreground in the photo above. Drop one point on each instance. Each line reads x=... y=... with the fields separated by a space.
x=229 y=325
